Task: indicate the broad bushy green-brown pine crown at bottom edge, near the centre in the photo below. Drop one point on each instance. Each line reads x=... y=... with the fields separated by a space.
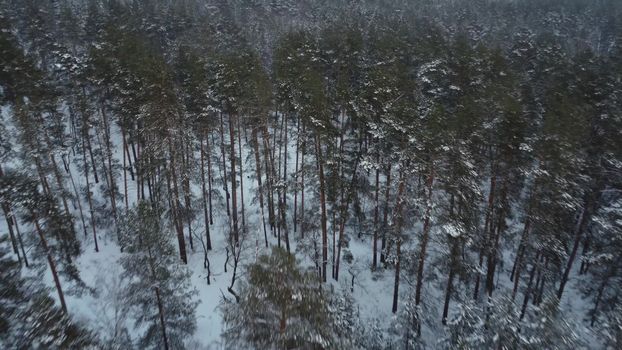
x=281 y=306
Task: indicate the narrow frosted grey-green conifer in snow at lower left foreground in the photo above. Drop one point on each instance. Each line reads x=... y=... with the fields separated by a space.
x=158 y=290
